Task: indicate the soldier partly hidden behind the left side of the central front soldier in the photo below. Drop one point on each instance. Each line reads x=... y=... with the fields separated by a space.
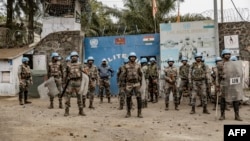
x=121 y=83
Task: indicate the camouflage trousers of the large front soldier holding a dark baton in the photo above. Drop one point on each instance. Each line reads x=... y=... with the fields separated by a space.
x=73 y=87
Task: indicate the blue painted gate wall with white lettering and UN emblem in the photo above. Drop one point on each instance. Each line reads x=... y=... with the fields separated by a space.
x=115 y=48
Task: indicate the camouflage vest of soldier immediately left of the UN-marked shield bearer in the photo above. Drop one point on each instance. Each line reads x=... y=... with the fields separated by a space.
x=198 y=73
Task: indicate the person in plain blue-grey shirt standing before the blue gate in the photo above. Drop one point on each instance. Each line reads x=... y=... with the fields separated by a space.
x=105 y=73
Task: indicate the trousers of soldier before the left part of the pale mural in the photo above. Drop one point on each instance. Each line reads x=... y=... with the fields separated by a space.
x=168 y=89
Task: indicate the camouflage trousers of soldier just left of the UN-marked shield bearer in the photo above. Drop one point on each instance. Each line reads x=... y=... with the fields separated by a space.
x=199 y=87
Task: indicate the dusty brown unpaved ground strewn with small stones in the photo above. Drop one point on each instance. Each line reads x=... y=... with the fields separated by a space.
x=34 y=122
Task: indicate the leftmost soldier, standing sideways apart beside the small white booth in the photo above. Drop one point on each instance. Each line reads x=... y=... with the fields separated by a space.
x=25 y=80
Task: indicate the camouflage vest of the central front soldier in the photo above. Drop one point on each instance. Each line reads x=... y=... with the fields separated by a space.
x=132 y=73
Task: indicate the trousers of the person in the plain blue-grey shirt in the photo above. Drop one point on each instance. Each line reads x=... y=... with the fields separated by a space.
x=104 y=85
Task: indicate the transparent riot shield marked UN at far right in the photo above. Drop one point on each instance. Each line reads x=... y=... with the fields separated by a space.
x=233 y=80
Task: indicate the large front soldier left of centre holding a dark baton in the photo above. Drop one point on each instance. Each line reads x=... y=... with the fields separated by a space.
x=73 y=79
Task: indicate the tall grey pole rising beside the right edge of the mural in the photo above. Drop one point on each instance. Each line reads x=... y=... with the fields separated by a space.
x=216 y=31
